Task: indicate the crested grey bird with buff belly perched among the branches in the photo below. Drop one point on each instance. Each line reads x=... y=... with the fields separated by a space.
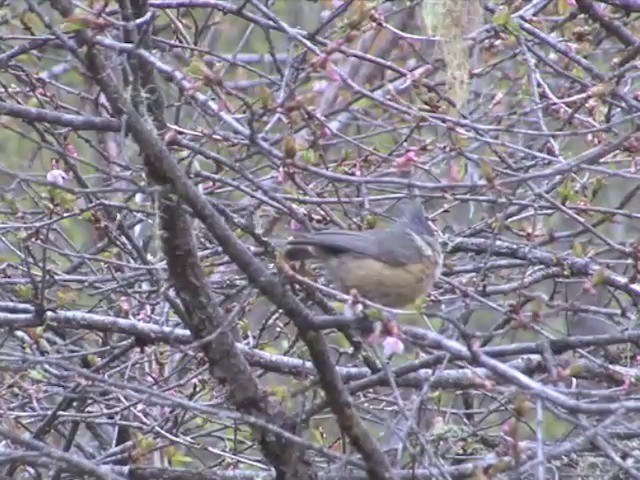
x=391 y=266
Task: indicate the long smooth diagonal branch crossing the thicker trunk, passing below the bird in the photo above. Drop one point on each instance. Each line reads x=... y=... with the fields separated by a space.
x=162 y=168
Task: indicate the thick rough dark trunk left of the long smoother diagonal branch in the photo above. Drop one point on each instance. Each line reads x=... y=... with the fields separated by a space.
x=203 y=317
